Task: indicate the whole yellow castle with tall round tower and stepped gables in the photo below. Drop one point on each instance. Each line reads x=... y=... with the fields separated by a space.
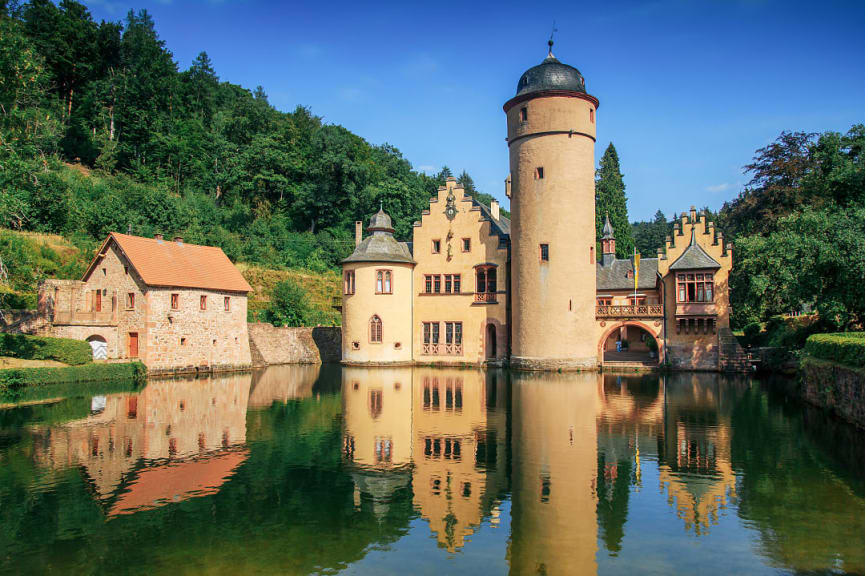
x=474 y=287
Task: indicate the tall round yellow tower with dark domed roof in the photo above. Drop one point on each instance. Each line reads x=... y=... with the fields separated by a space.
x=551 y=137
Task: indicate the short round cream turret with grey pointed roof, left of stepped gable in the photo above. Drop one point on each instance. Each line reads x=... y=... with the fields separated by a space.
x=377 y=298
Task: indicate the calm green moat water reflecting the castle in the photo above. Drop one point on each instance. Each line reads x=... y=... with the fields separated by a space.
x=330 y=470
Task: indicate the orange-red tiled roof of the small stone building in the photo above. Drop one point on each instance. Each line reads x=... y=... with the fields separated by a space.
x=181 y=265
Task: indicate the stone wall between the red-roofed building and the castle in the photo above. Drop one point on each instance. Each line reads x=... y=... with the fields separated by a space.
x=272 y=345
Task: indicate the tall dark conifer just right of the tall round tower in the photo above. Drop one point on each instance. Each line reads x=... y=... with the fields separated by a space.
x=610 y=200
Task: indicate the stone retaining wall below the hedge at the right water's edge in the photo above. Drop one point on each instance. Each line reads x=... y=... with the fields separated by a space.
x=835 y=387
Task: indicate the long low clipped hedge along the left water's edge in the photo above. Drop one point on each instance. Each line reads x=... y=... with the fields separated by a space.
x=13 y=379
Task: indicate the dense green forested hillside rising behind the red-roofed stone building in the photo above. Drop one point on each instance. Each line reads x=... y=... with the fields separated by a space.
x=101 y=131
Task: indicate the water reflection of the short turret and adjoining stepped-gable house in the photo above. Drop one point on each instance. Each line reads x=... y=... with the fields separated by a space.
x=441 y=432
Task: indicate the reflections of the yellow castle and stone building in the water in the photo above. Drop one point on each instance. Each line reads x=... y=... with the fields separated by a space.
x=566 y=449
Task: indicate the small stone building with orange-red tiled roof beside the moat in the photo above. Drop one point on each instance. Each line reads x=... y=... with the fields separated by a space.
x=176 y=307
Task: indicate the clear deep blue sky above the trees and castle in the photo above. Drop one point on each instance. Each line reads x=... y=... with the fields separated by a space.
x=688 y=89
